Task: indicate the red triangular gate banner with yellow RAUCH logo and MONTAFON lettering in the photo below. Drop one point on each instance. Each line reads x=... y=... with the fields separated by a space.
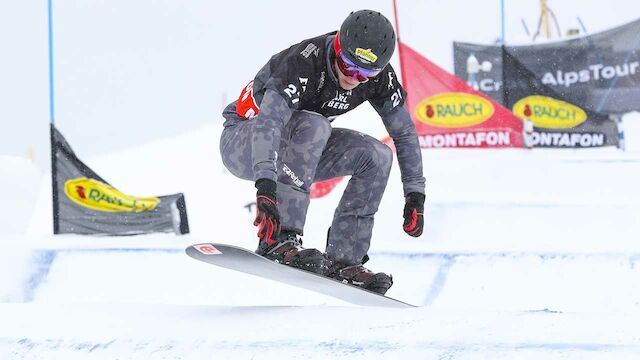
x=449 y=113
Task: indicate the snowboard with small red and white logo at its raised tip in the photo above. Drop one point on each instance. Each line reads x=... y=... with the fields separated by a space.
x=248 y=262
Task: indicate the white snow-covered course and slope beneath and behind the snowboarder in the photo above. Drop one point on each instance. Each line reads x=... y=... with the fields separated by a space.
x=527 y=254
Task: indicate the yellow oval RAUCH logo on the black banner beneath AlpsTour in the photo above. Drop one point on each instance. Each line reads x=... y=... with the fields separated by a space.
x=549 y=113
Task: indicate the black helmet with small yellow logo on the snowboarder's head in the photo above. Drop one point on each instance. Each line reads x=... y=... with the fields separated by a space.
x=367 y=38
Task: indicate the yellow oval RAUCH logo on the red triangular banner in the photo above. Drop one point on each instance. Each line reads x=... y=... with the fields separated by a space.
x=454 y=110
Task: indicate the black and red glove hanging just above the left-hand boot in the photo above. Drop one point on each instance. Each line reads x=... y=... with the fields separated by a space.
x=267 y=215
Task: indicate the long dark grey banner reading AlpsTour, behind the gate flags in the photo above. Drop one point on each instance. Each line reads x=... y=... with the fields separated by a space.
x=599 y=72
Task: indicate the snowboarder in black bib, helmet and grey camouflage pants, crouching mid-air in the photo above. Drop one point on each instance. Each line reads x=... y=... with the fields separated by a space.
x=279 y=134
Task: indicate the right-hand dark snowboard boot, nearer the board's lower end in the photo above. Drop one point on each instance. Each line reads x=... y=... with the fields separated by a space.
x=357 y=275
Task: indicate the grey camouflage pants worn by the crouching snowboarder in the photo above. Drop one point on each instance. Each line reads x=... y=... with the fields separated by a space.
x=310 y=150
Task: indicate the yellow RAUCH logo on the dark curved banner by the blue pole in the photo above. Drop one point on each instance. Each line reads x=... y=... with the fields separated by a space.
x=99 y=196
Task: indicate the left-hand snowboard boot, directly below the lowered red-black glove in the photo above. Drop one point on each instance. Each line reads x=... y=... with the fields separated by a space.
x=288 y=250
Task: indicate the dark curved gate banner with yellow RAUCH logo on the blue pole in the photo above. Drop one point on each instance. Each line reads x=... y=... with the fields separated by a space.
x=84 y=203
